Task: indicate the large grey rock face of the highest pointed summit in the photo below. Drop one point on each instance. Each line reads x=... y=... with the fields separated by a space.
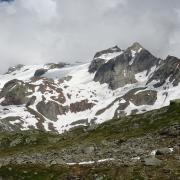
x=121 y=70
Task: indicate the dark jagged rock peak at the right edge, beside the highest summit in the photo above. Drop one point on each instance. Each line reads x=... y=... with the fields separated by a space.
x=170 y=68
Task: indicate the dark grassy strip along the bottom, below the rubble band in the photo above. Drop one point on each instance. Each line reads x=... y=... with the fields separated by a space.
x=93 y=172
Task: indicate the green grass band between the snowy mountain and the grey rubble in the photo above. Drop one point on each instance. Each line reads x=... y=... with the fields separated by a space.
x=121 y=129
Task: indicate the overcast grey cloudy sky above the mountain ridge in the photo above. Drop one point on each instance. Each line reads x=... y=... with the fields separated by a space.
x=39 y=31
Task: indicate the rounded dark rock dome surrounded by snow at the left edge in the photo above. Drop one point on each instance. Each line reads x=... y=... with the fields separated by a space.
x=15 y=93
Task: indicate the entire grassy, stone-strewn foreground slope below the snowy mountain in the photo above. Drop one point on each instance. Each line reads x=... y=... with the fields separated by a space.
x=144 y=146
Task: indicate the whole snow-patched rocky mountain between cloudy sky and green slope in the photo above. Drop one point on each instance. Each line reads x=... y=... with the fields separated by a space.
x=57 y=97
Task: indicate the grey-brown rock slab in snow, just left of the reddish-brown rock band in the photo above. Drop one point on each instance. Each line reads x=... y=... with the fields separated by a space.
x=51 y=109
